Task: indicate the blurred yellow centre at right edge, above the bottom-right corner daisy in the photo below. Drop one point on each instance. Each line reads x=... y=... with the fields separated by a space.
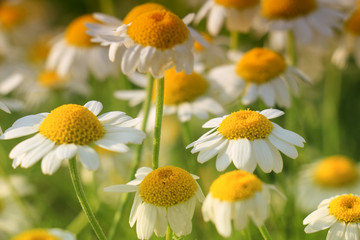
x=336 y=171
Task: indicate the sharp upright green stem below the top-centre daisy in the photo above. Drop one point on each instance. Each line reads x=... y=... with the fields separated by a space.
x=158 y=121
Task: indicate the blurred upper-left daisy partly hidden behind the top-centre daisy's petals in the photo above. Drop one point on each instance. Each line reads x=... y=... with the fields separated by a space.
x=74 y=51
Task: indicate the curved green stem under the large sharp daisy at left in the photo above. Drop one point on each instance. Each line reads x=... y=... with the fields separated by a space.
x=79 y=190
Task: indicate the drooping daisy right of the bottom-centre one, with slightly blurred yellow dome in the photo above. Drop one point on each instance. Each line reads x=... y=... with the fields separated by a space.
x=237 y=196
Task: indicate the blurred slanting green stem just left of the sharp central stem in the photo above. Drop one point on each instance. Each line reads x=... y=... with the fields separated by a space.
x=137 y=158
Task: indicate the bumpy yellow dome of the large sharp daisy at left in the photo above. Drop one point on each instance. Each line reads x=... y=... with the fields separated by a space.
x=72 y=123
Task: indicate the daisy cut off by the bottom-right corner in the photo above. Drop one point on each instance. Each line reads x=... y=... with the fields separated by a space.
x=339 y=214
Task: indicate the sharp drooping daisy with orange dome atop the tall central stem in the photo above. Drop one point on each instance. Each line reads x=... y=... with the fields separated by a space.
x=155 y=40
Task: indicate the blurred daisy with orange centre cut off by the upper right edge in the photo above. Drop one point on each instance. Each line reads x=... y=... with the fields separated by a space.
x=350 y=44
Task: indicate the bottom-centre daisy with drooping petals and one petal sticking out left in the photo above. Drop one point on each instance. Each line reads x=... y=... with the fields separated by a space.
x=164 y=196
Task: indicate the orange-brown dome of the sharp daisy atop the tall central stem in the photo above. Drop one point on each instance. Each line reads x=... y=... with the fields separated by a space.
x=159 y=29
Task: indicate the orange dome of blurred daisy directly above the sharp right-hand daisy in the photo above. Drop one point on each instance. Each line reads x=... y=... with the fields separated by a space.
x=260 y=65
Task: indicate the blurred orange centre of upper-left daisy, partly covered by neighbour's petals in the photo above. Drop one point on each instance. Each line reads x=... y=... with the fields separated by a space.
x=75 y=33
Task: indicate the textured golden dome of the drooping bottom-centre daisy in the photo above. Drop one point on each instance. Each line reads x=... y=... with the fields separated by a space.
x=167 y=186
